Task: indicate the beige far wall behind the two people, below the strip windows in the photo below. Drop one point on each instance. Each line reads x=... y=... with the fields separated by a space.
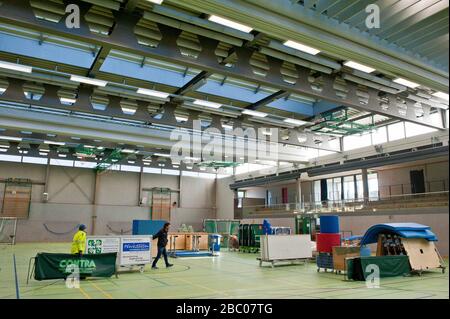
x=71 y=195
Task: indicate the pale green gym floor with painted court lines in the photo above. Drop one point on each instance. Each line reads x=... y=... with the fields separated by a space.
x=232 y=275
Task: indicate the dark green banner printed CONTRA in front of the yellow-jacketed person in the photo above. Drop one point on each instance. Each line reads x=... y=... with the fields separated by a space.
x=59 y=266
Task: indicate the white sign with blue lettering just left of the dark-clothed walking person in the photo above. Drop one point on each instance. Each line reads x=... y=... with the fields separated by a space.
x=135 y=250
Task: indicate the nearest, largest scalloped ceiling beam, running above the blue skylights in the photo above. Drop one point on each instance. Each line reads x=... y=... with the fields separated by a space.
x=123 y=38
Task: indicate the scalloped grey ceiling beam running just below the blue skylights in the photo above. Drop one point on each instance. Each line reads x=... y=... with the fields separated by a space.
x=166 y=114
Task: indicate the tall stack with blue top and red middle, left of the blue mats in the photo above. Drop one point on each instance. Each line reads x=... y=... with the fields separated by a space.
x=328 y=237
